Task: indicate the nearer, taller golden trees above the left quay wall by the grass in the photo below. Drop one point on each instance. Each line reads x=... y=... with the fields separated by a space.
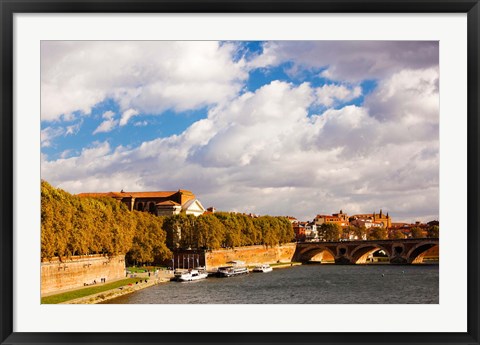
x=71 y=225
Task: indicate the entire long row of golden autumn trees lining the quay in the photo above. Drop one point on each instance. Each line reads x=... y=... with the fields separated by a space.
x=73 y=225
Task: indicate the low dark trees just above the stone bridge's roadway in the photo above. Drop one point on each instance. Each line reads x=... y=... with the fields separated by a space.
x=333 y=232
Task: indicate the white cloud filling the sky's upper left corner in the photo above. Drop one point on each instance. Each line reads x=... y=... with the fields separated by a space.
x=148 y=76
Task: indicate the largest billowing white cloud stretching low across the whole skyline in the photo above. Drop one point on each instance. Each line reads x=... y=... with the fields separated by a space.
x=261 y=153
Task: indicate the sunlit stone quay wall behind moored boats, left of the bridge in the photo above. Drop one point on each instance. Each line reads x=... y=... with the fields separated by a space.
x=251 y=255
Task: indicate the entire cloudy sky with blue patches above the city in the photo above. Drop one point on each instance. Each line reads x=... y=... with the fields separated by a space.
x=293 y=128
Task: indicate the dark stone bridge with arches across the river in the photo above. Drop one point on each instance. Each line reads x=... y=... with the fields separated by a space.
x=402 y=251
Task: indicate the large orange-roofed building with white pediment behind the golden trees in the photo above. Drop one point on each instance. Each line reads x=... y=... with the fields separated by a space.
x=158 y=203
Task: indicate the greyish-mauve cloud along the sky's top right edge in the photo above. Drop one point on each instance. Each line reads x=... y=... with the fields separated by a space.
x=351 y=60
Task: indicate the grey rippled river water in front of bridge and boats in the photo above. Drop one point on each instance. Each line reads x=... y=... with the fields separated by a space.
x=312 y=284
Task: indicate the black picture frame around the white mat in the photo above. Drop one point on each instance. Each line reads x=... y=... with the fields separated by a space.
x=9 y=8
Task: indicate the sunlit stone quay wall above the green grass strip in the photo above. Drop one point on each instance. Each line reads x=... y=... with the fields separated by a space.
x=74 y=272
